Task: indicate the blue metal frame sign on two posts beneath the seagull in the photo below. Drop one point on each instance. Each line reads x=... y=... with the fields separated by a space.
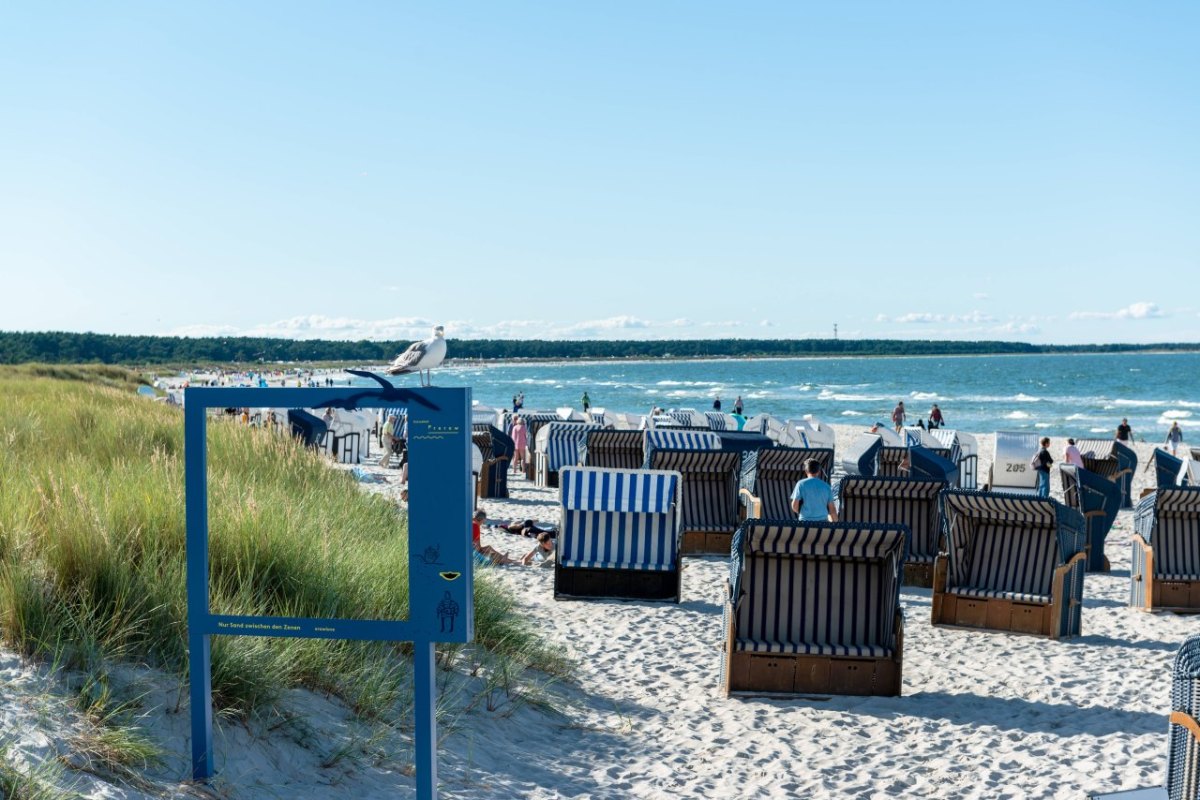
x=441 y=579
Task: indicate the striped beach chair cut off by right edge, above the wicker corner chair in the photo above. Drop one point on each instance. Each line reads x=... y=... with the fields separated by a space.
x=1166 y=568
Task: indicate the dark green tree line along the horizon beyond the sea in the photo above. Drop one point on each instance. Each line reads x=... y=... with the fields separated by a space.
x=61 y=347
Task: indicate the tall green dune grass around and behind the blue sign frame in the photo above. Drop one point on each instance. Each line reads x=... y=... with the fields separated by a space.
x=93 y=549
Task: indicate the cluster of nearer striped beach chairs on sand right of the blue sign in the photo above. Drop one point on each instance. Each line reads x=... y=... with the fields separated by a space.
x=815 y=607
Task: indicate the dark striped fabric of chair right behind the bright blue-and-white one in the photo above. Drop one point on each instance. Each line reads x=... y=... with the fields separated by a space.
x=709 y=497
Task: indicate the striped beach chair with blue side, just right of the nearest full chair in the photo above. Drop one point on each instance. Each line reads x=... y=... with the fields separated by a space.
x=1012 y=563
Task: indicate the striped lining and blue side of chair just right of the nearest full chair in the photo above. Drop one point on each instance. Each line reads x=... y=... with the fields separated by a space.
x=1009 y=546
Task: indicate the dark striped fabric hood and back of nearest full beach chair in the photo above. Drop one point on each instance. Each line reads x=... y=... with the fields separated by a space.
x=817 y=588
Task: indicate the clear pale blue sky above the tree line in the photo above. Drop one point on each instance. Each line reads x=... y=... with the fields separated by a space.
x=1021 y=171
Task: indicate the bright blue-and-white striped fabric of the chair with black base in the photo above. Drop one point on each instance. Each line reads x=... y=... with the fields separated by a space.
x=623 y=520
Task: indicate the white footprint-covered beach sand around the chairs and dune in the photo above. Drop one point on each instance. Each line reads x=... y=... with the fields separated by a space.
x=983 y=715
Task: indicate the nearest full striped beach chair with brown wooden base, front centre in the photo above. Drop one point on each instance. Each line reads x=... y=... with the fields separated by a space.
x=814 y=607
